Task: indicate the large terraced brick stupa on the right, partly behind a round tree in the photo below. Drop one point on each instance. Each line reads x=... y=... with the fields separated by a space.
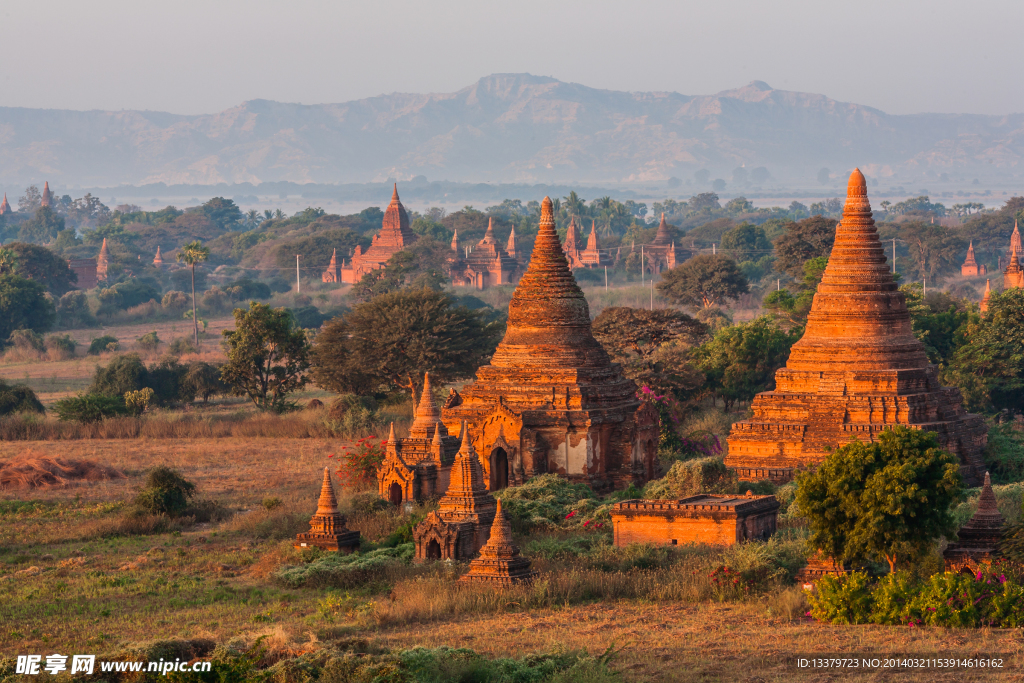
x=858 y=371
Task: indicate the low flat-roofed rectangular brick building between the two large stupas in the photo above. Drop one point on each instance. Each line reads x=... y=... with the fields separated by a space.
x=719 y=521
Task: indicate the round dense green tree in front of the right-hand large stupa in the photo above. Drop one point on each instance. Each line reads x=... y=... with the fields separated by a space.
x=889 y=500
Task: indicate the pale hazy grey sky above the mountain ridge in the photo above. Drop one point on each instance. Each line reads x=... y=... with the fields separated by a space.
x=194 y=58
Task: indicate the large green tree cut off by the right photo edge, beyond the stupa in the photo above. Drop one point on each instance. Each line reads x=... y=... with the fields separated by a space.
x=990 y=368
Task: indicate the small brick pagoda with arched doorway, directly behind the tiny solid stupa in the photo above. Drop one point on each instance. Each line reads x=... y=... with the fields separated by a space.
x=462 y=524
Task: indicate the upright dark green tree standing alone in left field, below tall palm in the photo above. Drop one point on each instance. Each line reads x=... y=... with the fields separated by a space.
x=268 y=356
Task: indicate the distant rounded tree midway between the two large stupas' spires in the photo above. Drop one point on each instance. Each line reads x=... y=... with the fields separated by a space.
x=704 y=281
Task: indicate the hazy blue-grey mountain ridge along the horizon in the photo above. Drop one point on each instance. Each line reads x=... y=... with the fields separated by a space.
x=504 y=129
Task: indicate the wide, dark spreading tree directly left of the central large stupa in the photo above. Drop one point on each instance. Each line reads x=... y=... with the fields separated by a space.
x=385 y=341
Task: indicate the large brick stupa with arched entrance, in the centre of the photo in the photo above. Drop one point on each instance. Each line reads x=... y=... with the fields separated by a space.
x=551 y=400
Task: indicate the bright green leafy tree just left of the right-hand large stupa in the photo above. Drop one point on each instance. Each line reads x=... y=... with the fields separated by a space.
x=741 y=361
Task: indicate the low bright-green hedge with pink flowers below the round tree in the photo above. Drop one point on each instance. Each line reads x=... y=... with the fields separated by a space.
x=959 y=601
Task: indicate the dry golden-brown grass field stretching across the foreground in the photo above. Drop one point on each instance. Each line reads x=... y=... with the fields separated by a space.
x=105 y=582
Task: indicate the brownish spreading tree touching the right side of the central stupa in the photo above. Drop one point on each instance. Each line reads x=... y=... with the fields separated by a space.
x=652 y=346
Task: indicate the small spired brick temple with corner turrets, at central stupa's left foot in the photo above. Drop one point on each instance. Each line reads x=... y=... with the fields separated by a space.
x=417 y=467
